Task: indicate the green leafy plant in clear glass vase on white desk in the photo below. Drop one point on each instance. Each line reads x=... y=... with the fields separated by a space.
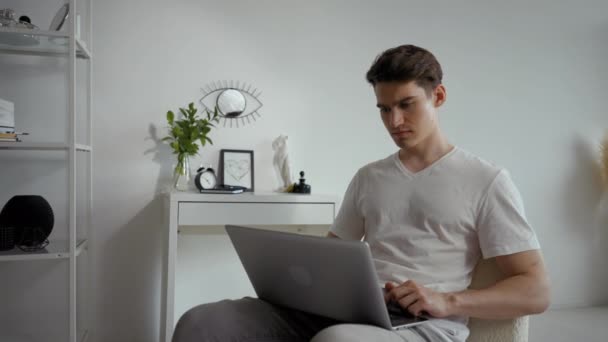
x=184 y=137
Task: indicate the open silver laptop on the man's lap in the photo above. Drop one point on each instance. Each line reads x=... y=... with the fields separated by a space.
x=332 y=277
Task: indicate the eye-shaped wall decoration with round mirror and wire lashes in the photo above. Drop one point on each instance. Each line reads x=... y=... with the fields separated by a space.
x=237 y=104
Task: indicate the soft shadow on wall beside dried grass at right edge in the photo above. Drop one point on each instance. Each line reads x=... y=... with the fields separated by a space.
x=587 y=211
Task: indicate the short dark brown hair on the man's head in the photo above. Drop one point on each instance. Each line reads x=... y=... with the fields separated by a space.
x=406 y=63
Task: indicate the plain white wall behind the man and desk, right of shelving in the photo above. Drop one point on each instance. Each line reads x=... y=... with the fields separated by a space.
x=525 y=90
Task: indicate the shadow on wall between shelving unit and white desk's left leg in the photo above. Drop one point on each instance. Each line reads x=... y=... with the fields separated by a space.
x=131 y=292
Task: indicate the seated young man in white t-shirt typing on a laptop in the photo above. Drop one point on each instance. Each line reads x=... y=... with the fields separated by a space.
x=428 y=212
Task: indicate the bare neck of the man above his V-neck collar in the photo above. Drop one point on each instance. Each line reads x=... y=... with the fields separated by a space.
x=427 y=152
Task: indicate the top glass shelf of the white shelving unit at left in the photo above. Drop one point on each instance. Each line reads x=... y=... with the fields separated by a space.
x=39 y=43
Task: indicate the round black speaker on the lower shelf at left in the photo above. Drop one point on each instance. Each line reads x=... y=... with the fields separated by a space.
x=32 y=218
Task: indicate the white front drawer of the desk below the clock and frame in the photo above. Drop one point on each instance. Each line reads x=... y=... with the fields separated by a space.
x=209 y=213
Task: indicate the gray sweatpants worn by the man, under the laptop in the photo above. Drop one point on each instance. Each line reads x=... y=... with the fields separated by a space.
x=250 y=319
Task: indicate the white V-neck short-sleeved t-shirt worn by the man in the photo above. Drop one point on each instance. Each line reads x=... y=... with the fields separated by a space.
x=433 y=226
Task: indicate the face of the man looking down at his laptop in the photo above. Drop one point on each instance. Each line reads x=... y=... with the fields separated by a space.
x=409 y=115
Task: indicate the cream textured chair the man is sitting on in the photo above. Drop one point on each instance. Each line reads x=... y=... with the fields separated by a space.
x=482 y=330
